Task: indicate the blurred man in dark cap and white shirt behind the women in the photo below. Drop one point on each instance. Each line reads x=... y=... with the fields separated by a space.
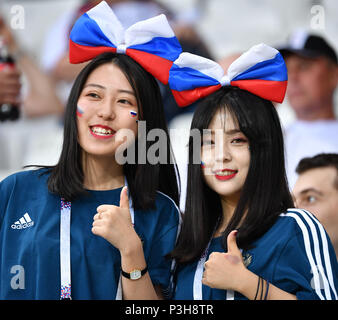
x=312 y=80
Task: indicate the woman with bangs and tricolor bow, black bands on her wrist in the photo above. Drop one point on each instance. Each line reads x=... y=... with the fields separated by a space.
x=240 y=237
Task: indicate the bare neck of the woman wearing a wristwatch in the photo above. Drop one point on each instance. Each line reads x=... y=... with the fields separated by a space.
x=101 y=173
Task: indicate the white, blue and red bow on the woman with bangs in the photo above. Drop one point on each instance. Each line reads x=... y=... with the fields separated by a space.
x=261 y=70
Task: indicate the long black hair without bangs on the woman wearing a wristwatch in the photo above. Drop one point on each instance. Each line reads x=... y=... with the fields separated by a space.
x=66 y=177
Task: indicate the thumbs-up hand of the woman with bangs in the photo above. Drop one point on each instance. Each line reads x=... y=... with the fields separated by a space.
x=225 y=270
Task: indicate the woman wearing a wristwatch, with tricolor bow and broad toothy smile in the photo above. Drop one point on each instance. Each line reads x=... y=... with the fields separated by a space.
x=93 y=227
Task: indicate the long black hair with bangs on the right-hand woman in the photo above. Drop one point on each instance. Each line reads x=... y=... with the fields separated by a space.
x=265 y=193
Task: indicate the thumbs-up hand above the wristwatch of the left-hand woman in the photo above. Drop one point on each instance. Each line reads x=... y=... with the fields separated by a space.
x=114 y=224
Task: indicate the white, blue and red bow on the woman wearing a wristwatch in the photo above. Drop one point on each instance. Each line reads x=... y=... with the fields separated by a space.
x=151 y=42
